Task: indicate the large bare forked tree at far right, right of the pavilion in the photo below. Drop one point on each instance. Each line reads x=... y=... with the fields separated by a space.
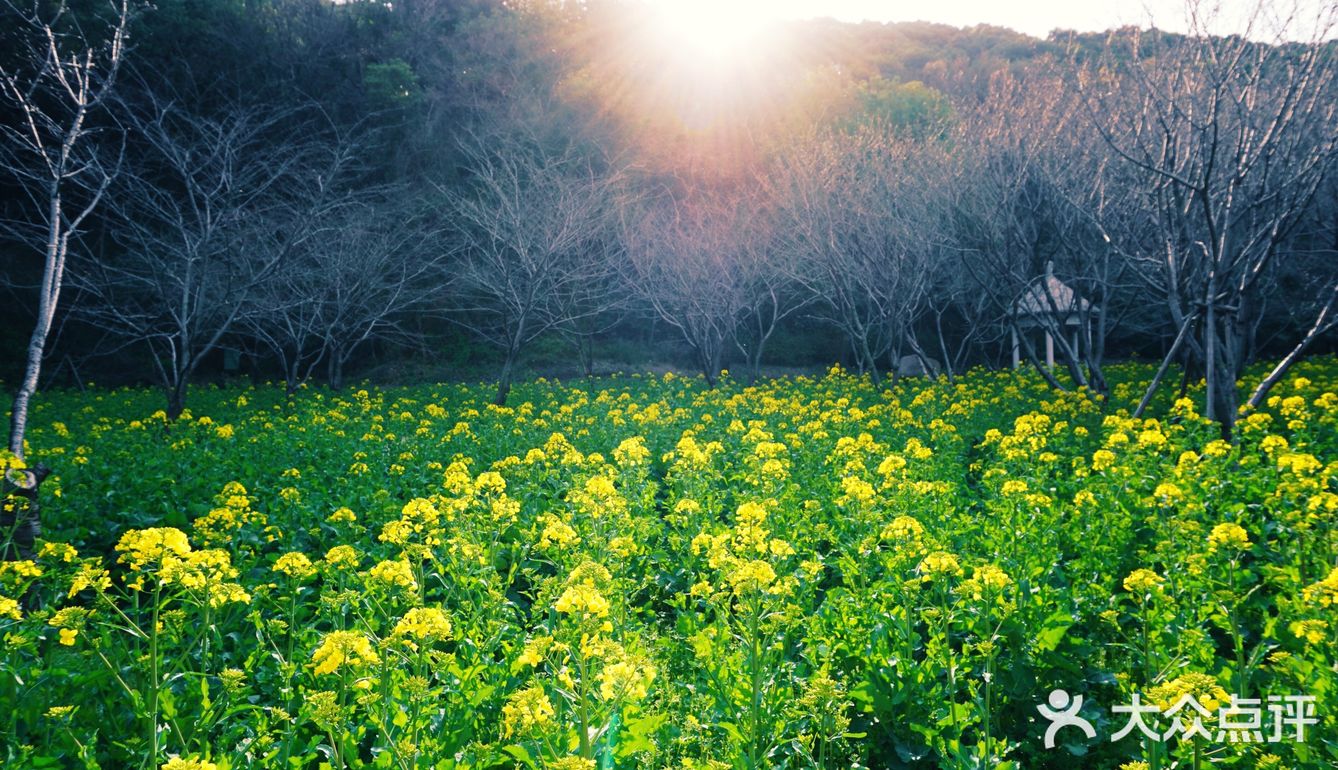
x=1232 y=141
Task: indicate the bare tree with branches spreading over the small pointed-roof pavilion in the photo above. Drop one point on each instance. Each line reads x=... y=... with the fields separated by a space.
x=1032 y=215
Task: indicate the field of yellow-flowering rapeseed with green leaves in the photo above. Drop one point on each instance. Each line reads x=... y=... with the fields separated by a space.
x=640 y=572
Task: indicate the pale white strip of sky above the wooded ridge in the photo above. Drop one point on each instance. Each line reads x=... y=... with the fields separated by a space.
x=1039 y=18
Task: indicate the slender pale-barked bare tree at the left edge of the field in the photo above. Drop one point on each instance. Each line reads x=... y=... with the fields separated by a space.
x=62 y=80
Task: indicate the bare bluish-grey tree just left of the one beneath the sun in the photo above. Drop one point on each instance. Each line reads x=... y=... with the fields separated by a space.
x=532 y=224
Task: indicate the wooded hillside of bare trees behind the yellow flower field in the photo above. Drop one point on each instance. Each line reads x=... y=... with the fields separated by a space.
x=311 y=191
